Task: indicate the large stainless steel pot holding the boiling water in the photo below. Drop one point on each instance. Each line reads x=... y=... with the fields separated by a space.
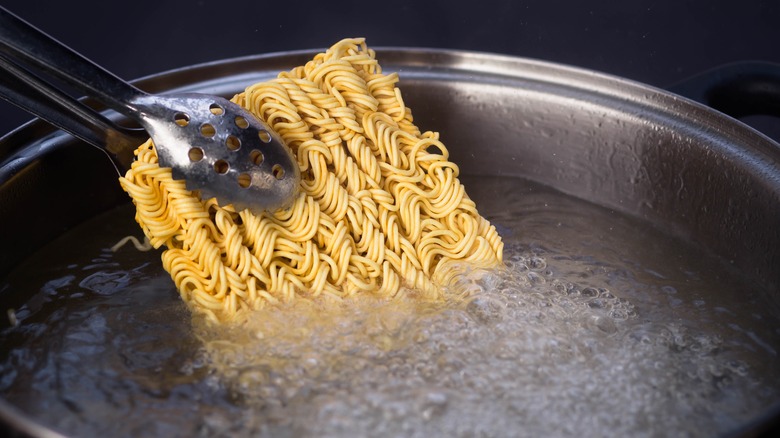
x=677 y=165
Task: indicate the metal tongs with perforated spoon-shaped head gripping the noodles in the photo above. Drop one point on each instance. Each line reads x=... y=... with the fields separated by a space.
x=216 y=146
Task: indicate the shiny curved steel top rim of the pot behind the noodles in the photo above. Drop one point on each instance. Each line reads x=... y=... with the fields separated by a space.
x=498 y=68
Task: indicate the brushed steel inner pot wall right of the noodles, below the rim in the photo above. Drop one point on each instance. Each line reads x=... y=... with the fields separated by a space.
x=701 y=179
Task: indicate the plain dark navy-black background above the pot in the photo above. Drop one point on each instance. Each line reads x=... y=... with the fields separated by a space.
x=659 y=42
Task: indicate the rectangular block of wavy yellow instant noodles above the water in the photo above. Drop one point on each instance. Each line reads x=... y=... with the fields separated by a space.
x=380 y=207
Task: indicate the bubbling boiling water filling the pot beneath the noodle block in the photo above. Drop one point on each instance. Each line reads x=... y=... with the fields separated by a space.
x=598 y=325
